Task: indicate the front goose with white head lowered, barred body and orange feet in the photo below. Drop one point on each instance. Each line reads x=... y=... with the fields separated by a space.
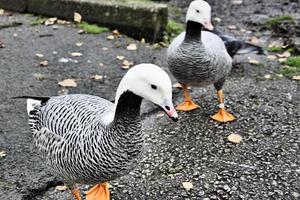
x=89 y=140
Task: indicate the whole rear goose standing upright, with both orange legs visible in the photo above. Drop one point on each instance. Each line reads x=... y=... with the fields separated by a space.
x=199 y=58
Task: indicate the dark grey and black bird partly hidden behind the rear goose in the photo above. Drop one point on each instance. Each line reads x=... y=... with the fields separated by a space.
x=235 y=46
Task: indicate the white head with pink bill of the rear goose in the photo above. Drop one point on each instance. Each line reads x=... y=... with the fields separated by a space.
x=200 y=11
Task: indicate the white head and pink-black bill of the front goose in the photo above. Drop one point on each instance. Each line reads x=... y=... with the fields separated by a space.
x=151 y=83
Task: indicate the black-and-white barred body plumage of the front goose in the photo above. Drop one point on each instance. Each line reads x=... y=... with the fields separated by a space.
x=77 y=146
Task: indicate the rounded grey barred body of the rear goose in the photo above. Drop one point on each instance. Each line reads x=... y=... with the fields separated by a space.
x=198 y=59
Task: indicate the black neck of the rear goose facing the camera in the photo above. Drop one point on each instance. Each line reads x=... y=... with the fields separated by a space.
x=193 y=31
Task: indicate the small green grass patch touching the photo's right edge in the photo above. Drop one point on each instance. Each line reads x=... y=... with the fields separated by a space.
x=293 y=68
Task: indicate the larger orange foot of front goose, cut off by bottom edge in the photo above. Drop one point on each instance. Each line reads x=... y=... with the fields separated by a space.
x=98 y=192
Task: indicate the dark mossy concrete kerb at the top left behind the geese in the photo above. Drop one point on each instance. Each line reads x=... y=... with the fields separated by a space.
x=140 y=20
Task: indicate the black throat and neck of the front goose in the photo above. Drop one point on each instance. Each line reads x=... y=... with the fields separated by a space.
x=127 y=109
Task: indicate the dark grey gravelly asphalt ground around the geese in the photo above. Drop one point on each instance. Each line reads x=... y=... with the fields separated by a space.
x=265 y=165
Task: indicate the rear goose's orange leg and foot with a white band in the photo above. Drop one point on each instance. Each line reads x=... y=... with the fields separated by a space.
x=222 y=115
